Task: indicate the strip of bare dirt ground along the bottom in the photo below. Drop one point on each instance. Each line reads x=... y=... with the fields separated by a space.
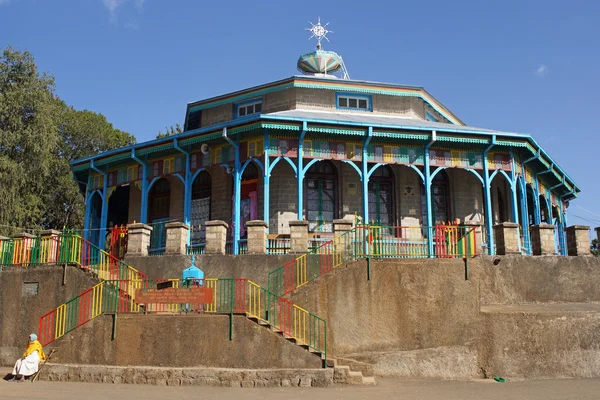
x=571 y=389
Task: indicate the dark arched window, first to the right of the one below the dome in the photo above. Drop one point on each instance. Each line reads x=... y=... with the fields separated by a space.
x=381 y=196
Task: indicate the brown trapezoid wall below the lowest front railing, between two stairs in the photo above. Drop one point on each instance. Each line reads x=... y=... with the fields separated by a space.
x=180 y=341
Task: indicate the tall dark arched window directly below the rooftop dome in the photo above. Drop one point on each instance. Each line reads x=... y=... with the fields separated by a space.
x=320 y=186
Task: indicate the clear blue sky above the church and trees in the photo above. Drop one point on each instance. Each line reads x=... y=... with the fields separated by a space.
x=523 y=66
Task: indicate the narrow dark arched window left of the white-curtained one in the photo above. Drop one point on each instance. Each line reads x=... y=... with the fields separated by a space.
x=160 y=203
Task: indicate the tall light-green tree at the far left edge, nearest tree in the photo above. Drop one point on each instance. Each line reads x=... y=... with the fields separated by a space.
x=28 y=137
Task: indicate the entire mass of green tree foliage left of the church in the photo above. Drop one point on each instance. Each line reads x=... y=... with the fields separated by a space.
x=39 y=136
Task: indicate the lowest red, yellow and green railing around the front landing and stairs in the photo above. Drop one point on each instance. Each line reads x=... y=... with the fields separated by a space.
x=230 y=296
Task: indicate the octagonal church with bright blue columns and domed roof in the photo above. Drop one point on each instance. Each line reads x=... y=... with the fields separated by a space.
x=321 y=147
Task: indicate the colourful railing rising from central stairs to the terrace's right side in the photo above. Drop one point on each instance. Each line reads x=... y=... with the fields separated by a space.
x=367 y=241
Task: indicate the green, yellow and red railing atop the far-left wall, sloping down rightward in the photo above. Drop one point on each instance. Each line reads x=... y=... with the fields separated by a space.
x=66 y=248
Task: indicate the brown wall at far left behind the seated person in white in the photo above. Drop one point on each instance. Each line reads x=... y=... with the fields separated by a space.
x=20 y=313
